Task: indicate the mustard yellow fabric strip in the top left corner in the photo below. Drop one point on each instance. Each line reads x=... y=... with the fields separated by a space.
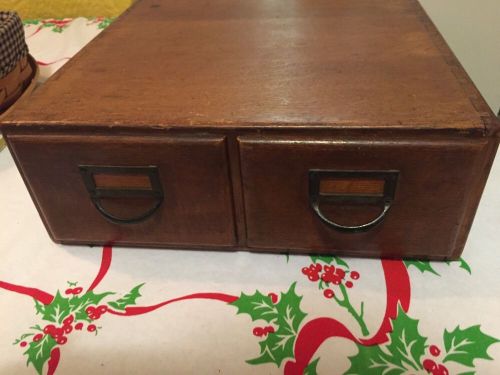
x=33 y=9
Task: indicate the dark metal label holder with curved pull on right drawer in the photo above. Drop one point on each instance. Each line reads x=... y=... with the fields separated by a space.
x=352 y=187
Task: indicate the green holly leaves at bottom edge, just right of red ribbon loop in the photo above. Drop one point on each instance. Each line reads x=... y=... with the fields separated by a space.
x=401 y=355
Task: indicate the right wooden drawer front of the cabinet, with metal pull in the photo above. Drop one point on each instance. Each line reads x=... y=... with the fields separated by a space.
x=359 y=197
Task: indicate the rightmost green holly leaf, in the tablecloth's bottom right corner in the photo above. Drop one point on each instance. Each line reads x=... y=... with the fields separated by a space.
x=464 y=346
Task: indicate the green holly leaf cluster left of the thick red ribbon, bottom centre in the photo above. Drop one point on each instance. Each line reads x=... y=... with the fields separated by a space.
x=286 y=316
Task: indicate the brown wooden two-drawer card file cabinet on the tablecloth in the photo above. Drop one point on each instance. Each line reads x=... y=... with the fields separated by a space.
x=343 y=127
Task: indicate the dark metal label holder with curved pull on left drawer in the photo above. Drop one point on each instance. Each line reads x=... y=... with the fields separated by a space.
x=108 y=182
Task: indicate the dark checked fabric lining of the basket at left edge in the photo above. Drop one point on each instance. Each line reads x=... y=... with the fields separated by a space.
x=12 y=44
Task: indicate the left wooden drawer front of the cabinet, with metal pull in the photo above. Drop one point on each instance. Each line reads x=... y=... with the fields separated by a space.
x=130 y=190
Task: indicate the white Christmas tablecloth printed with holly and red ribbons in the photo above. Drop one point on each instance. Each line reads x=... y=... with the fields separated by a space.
x=81 y=310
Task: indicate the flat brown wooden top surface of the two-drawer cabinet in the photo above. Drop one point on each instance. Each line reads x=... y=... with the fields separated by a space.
x=265 y=63
